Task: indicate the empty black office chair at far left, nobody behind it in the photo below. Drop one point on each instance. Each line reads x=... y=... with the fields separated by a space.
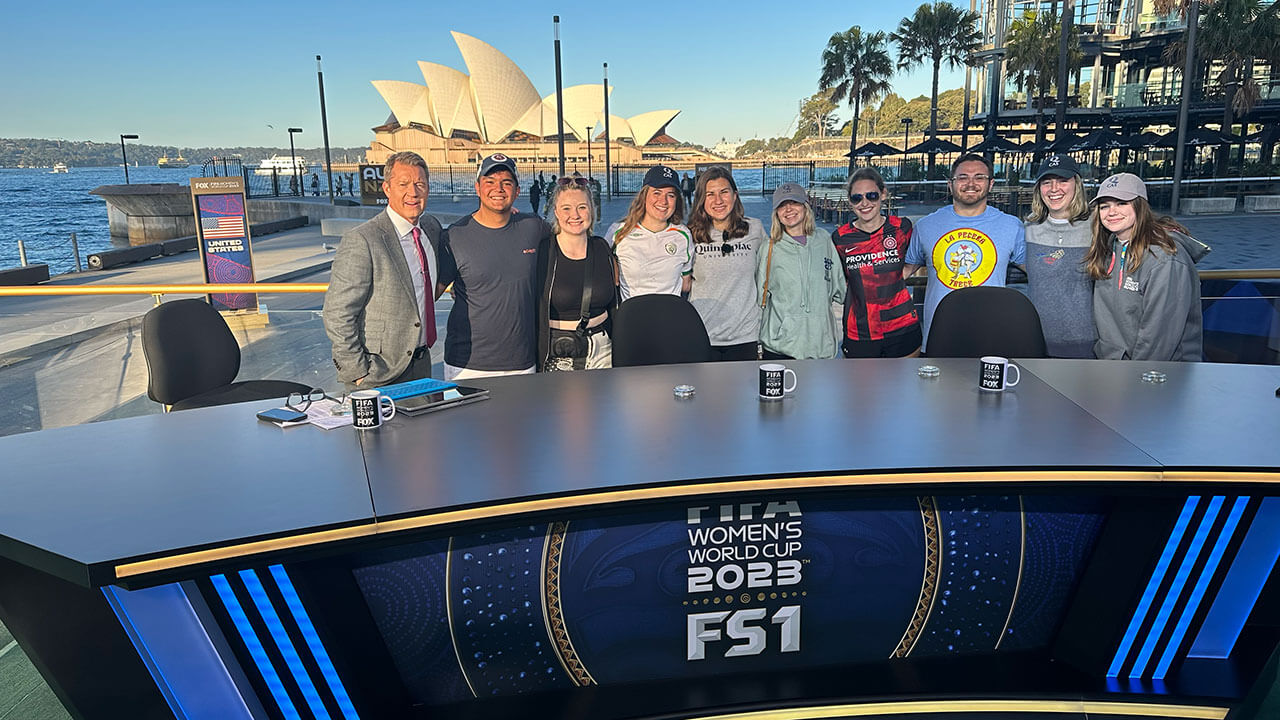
x=193 y=359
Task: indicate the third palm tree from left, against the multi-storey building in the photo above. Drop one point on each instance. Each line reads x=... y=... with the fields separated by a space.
x=1032 y=58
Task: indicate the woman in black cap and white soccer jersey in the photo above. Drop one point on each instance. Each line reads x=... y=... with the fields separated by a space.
x=656 y=253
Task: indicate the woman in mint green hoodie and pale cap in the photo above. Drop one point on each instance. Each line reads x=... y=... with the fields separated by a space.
x=799 y=277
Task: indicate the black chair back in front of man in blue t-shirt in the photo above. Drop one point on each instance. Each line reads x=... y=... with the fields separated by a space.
x=986 y=321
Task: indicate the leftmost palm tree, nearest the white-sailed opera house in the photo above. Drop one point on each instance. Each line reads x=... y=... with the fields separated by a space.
x=856 y=66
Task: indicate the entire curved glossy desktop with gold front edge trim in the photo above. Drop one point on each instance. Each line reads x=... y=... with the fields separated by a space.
x=204 y=486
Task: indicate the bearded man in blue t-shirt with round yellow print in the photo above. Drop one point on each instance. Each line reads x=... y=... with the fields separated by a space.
x=967 y=244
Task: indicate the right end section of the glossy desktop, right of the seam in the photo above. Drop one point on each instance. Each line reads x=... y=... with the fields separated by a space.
x=1205 y=416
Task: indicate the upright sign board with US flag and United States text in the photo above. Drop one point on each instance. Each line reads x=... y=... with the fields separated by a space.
x=226 y=248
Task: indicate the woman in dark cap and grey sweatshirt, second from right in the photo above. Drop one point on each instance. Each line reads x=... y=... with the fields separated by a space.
x=1059 y=235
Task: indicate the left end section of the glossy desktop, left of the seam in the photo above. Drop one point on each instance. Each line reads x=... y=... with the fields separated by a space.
x=80 y=500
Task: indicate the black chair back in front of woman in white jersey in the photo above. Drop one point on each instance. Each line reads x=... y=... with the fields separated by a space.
x=659 y=330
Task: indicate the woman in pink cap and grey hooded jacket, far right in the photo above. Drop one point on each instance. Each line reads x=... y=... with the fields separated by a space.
x=1146 y=291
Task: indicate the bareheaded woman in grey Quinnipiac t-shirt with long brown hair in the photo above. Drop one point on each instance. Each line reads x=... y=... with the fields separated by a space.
x=726 y=243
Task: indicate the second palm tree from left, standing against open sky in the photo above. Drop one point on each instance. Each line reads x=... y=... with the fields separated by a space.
x=940 y=34
